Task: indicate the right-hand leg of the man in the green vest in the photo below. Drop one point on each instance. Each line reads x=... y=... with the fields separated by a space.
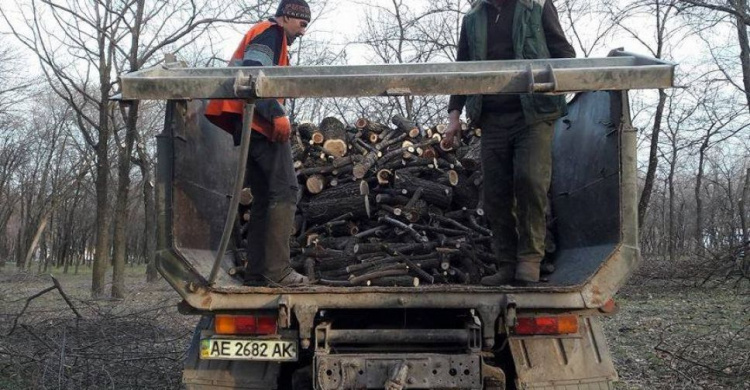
x=532 y=174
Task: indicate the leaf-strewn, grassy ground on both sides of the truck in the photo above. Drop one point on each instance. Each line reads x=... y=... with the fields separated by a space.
x=668 y=334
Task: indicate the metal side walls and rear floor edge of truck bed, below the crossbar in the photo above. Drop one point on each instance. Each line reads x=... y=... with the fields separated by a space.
x=593 y=198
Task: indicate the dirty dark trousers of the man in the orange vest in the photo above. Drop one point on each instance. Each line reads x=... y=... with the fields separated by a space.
x=270 y=174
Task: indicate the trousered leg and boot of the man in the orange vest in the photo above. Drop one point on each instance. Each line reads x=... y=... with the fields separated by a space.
x=271 y=168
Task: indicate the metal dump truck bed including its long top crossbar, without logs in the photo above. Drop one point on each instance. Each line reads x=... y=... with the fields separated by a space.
x=593 y=185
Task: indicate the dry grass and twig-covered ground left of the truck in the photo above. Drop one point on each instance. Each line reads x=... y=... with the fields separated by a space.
x=138 y=342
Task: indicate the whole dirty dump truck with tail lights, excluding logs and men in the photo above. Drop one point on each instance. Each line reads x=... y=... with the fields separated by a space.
x=472 y=337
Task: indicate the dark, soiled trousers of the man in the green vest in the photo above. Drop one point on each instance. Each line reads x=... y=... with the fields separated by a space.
x=517 y=169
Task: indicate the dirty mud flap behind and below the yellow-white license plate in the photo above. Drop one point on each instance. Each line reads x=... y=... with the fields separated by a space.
x=225 y=374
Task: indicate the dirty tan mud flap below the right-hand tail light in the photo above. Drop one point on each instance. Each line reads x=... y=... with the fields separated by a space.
x=578 y=362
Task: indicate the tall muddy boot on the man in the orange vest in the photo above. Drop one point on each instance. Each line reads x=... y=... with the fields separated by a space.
x=276 y=265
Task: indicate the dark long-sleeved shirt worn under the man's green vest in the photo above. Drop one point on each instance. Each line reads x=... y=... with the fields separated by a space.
x=500 y=47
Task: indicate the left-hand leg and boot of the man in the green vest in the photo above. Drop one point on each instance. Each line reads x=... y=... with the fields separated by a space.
x=497 y=169
